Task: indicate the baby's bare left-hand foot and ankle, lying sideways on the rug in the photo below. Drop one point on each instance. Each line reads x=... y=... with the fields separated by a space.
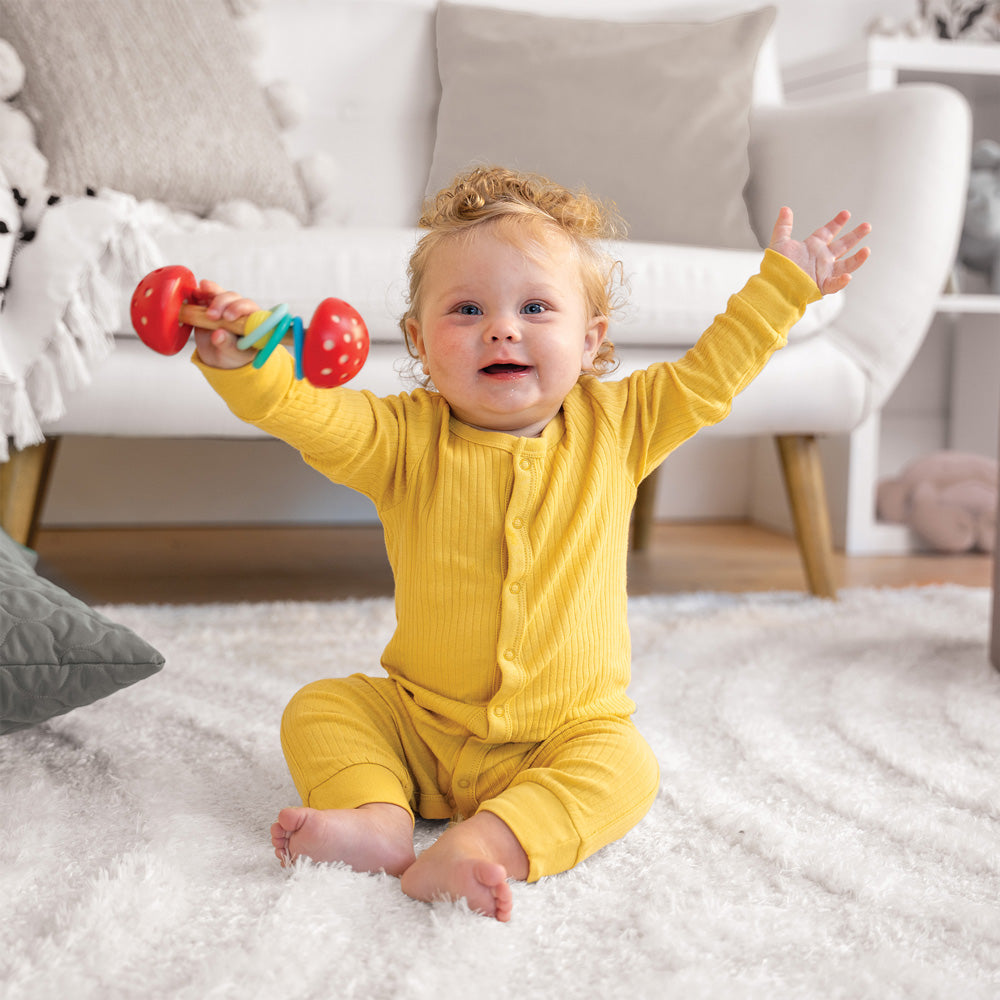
x=372 y=838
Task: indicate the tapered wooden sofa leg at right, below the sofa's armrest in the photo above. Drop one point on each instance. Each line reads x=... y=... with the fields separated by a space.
x=800 y=465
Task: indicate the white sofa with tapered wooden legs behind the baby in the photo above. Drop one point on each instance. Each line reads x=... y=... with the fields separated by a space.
x=369 y=74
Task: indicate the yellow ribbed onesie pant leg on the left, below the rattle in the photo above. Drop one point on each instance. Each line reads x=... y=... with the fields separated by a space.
x=348 y=742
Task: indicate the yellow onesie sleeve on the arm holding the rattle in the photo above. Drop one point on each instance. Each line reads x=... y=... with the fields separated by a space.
x=352 y=437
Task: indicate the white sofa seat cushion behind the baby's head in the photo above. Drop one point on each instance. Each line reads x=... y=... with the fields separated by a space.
x=674 y=291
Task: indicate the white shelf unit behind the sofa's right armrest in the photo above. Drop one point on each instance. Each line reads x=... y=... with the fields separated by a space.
x=969 y=324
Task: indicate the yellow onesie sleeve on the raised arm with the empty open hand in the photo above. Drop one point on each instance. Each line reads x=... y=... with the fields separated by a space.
x=667 y=403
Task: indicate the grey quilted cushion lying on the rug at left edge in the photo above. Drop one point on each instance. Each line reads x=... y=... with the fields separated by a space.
x=56 y=653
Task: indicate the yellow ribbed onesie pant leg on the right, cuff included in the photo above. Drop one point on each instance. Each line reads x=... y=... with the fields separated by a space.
x=584 y=788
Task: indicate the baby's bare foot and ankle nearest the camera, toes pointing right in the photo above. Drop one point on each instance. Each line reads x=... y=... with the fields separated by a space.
x=470 y=861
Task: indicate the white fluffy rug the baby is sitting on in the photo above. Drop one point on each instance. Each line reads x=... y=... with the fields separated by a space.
x=828 y=823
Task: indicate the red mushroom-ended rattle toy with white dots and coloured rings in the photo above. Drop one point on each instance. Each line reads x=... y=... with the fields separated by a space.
x=166 y=305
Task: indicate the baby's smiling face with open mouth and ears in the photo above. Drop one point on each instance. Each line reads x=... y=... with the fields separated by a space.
x=504 y=333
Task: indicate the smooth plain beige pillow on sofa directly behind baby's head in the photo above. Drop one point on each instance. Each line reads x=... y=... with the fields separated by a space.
x=652 y=116
